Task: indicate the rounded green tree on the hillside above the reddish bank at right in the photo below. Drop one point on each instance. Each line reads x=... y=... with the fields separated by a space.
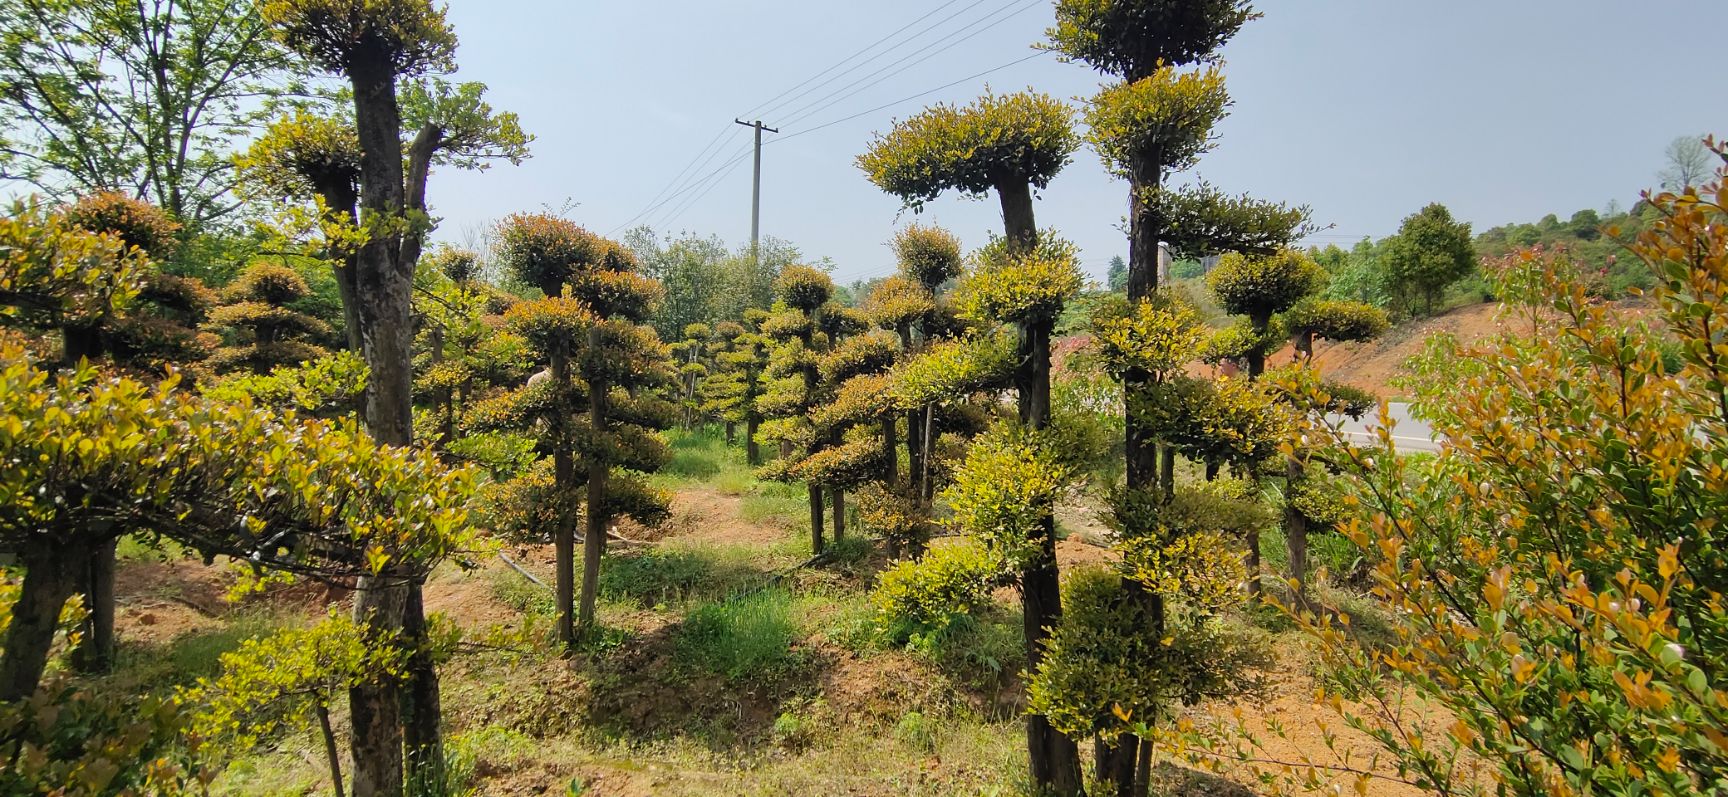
x=1430 y=253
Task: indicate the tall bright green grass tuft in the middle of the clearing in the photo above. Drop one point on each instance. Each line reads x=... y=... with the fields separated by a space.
x=747 y=635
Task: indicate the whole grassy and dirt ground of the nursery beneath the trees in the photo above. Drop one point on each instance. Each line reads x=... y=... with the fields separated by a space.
x=721 y=668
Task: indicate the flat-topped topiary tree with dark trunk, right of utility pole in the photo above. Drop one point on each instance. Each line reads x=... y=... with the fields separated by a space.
x=1008 y=144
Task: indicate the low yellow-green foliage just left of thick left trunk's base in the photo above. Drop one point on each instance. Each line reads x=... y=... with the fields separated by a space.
x=276 y=682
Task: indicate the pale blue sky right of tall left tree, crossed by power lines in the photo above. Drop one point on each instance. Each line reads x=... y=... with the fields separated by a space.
x=1363 y=110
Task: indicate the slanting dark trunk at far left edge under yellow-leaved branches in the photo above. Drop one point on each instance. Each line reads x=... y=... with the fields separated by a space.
x=51 y=578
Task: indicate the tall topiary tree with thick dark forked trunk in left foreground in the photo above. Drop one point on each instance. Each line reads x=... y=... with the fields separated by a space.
x=374 y=44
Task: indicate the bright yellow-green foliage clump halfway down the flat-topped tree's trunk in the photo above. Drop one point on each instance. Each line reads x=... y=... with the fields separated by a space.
x=1007 y=490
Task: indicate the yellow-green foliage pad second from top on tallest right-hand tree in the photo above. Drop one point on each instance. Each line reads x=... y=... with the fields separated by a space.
x=1159 y=122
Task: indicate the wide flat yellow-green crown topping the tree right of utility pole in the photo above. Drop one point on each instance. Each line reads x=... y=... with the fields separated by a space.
x=1020 y=137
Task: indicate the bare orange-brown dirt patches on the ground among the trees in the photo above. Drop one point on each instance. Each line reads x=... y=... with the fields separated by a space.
x=865 y=694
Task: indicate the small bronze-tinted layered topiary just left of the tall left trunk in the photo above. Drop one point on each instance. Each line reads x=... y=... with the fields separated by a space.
x=262 y=329
